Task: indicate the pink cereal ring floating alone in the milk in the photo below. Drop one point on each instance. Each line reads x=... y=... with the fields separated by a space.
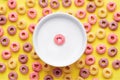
x=59 y=39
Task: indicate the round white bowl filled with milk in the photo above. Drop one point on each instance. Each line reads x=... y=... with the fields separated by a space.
x=75 y=39
